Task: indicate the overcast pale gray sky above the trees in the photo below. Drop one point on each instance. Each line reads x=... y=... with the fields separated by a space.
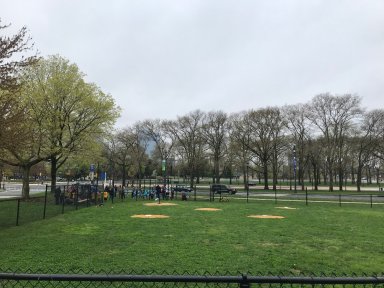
x=163 y=58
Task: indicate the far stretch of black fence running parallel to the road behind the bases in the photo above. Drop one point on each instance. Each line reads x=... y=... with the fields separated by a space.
x=145 y=189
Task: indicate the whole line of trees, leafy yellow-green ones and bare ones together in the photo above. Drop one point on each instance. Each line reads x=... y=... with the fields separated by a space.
x=49 y=113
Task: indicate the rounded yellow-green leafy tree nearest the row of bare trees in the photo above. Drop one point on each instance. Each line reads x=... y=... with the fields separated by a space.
x=76 y=112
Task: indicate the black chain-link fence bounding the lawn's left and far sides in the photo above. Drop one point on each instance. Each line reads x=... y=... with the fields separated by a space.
x=65 y=198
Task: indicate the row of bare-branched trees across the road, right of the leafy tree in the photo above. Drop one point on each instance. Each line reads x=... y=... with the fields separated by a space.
x=331 y=138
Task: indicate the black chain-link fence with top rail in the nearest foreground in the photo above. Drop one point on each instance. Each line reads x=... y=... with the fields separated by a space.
x=122 y=279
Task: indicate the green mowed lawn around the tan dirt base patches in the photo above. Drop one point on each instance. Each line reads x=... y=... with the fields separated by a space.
x=319 y=238
